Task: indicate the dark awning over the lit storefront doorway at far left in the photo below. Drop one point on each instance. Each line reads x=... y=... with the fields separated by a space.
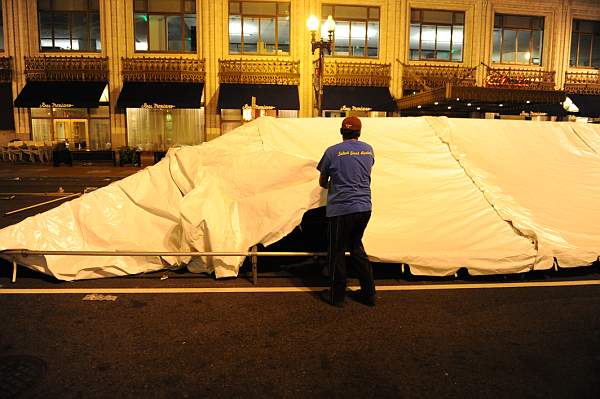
x=60 y=94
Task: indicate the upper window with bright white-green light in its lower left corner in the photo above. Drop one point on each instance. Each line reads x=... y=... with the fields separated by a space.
x=165 y=25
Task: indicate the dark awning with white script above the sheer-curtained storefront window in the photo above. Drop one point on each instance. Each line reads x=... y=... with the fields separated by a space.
x=160 y=95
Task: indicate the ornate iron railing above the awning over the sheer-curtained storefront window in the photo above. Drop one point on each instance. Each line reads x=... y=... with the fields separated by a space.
x=163 y=69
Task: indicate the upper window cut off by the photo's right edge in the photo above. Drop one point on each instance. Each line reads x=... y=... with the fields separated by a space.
x=585 y=44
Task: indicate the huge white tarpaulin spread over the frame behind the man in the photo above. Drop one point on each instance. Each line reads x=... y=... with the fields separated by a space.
x=490 y=195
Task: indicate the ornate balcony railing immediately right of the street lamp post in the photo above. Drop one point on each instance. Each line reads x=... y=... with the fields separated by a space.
x=348 y=73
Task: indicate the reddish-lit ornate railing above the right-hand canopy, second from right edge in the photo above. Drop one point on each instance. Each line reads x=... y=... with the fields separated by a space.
x=515 y=78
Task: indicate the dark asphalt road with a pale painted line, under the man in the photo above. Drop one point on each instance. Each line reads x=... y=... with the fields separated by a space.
x=439 y=338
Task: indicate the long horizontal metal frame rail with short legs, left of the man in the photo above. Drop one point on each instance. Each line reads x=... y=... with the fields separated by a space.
x=254 y=254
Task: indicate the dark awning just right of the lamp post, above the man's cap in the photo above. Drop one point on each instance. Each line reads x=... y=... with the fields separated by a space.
x=376 y=98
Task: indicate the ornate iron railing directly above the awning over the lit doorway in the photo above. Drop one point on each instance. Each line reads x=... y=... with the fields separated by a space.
x=55 y=68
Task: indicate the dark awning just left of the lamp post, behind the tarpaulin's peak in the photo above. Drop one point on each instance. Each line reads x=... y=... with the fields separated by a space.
x=235 y=96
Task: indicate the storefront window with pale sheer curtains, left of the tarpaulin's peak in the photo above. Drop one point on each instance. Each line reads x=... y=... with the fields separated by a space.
x=157 y=130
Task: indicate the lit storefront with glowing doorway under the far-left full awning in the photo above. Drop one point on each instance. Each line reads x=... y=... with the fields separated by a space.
x=83 y=128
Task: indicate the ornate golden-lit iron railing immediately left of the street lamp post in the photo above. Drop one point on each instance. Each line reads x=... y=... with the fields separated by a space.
x=251 y=71
